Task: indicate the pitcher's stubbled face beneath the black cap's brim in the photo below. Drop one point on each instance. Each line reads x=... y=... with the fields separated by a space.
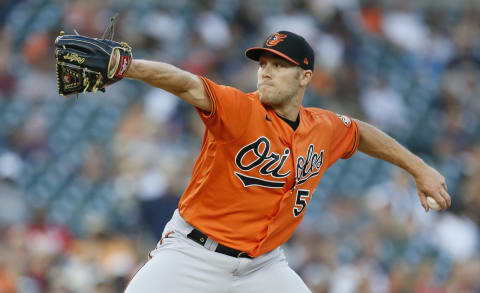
x=278 y=80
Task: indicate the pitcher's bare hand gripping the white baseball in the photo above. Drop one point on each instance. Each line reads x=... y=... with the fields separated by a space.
x=431 y=183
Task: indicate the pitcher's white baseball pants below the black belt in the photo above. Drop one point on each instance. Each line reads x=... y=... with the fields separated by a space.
x=180 y=265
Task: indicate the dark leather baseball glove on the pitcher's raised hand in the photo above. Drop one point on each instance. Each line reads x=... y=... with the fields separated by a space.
x=90 y=64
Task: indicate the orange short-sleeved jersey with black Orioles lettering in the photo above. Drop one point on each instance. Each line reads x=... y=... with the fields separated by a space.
x=255 y=175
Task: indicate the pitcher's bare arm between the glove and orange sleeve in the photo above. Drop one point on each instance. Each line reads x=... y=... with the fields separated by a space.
x=179 y=82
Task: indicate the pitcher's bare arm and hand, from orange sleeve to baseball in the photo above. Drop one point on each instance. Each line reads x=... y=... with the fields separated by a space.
x=378 y=144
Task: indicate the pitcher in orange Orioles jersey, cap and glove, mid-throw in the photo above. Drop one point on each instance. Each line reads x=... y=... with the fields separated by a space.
x=262 y=157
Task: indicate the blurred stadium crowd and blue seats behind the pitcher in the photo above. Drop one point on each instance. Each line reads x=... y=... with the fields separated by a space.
x=87 y=184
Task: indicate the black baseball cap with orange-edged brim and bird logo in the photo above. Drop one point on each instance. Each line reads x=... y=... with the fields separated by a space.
x=287 y=45
